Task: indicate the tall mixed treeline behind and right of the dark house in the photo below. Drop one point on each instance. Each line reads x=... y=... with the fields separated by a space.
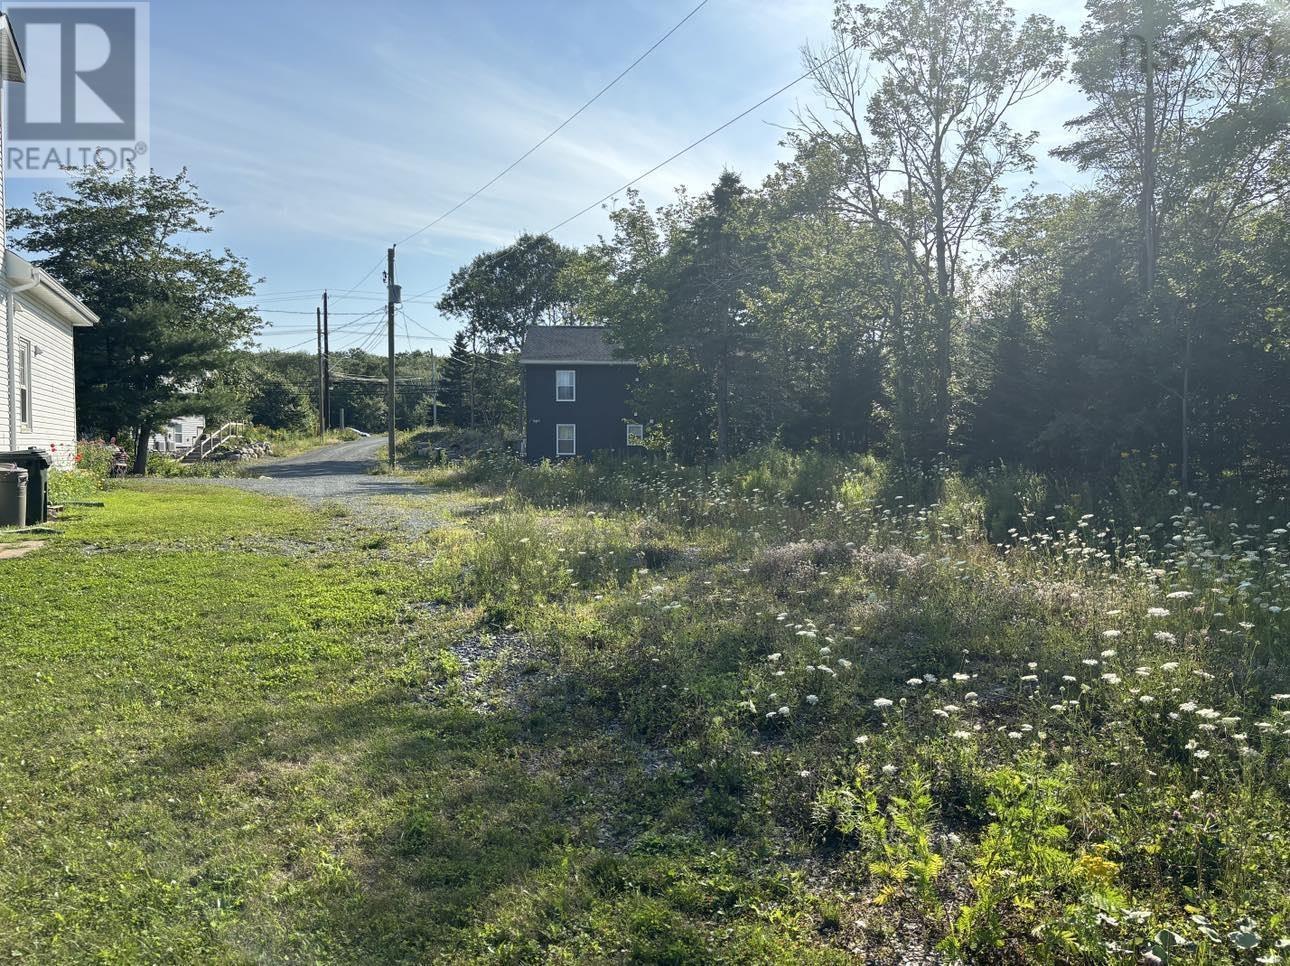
x=889 y=290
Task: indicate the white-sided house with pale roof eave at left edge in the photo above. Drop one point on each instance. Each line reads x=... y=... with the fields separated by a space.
x=38 y=380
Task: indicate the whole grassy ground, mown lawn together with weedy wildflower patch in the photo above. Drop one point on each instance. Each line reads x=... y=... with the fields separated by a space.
x=800 y=710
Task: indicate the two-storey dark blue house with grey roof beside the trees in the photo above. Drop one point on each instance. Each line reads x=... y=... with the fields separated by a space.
x=577 y=394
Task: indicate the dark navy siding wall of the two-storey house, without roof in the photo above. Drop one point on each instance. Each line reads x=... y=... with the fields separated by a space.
x=600 y=412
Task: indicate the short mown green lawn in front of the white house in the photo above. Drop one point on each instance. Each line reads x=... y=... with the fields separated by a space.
x=217 y=746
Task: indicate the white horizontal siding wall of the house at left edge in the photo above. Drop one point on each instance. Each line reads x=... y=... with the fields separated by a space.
x=54 y=382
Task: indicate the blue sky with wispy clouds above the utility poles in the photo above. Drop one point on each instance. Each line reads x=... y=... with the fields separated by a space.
x=328 y=131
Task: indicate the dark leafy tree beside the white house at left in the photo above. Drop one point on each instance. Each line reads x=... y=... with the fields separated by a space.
x=168 y=315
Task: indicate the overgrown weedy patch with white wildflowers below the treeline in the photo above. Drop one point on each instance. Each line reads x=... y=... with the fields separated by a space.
x=1047 y=722
